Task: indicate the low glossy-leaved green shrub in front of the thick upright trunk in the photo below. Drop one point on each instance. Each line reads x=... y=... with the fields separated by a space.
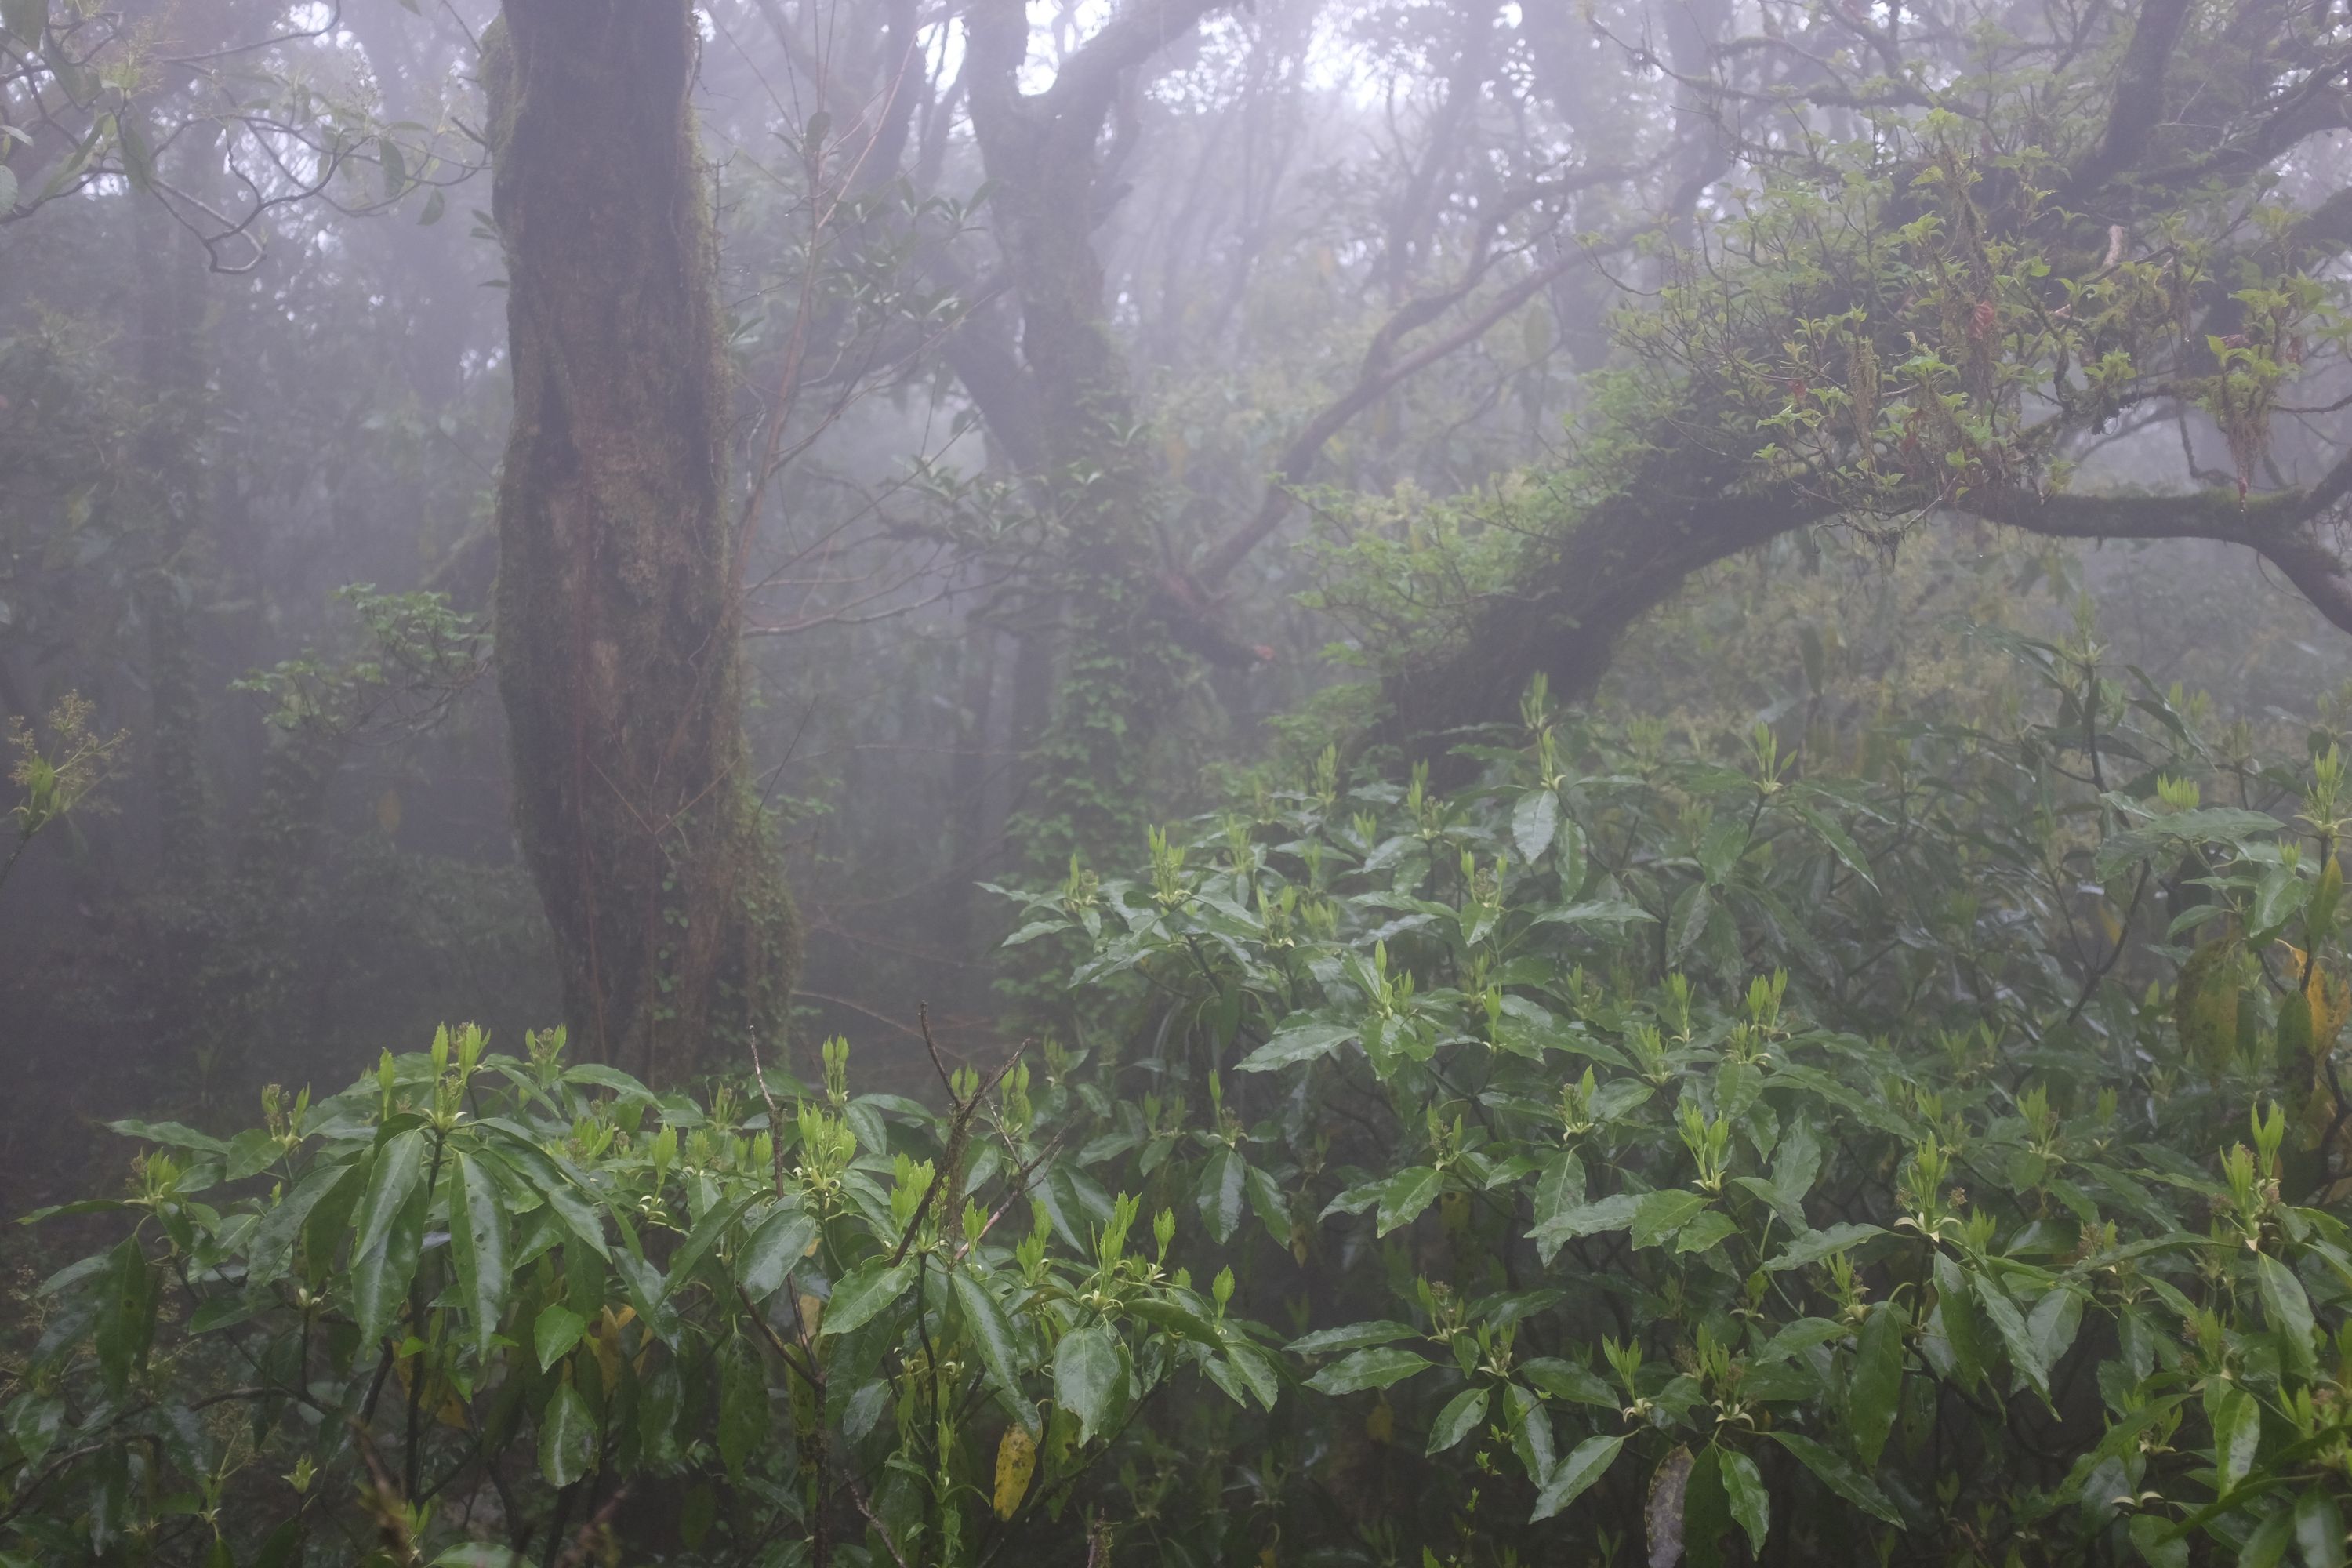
x=493 y=1287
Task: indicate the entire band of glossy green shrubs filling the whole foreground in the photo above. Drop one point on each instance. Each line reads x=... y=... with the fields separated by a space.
x=1916 y=1146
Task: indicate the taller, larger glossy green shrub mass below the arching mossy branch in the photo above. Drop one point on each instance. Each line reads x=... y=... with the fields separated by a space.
x=1768 y=1160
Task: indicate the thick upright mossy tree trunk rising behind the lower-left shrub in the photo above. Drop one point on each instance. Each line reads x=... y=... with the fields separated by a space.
x=617 y=610
